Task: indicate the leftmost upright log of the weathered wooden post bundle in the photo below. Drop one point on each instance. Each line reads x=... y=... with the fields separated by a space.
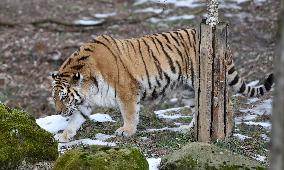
x=203 y=88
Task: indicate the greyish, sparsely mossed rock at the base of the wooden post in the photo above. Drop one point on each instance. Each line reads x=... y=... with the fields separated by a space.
x=198 y=156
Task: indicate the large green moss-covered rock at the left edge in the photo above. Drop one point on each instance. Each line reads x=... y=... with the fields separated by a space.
x=22 y=140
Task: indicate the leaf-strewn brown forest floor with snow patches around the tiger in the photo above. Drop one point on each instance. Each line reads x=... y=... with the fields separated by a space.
x=36 y=36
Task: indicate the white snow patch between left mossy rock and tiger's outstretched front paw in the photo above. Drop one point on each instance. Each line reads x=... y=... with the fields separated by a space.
x=53 y=123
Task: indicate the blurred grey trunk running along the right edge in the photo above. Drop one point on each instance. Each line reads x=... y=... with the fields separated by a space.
x=277 y=161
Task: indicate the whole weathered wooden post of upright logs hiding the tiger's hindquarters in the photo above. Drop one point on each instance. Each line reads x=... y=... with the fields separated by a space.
x=214 y=116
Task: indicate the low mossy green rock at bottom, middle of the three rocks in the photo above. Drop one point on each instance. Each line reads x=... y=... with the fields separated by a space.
x=102 y=157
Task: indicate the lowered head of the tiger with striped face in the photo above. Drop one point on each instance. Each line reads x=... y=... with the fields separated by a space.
x=66 y=92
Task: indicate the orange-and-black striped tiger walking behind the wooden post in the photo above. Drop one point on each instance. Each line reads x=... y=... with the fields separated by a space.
x=121 y=73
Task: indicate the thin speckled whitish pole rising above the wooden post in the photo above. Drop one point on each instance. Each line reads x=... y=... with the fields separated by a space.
x=212 y=9
